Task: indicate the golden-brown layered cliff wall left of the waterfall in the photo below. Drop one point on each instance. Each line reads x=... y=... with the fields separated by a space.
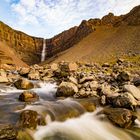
x=27 y=48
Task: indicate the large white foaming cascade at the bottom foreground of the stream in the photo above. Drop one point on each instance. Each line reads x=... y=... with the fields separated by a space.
x=86 y=127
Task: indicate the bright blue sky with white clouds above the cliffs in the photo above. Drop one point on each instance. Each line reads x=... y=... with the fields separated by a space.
x=46 y=18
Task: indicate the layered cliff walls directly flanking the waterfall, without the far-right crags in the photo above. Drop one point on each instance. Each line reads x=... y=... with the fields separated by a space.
x=29 y=48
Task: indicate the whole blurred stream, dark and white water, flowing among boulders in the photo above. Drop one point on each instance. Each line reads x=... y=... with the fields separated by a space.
x=61 y=125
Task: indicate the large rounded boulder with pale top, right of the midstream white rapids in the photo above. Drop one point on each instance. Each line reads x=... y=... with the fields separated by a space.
x=66 y=89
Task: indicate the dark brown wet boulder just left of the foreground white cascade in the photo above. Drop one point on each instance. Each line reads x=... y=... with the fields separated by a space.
x=30 y=119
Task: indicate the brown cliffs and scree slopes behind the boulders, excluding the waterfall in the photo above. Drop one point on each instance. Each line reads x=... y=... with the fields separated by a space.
x=93 y=40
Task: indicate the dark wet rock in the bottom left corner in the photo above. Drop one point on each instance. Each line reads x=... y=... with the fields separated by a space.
x=7 y=132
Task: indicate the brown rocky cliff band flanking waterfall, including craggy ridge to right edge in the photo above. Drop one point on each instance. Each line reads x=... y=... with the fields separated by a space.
x=29 y=48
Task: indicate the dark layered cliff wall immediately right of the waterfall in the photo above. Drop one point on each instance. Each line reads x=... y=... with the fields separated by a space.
x=67 y=39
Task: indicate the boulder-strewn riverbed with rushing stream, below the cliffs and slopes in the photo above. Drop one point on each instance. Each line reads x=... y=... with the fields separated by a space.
x=54 y=96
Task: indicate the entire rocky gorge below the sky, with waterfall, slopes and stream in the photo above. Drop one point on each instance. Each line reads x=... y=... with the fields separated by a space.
x=82 y=84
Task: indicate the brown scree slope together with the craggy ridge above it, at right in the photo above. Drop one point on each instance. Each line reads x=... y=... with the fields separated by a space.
x=113 y=36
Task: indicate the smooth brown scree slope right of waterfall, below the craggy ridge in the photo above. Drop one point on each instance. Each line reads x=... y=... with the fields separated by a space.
x=103 y=45
